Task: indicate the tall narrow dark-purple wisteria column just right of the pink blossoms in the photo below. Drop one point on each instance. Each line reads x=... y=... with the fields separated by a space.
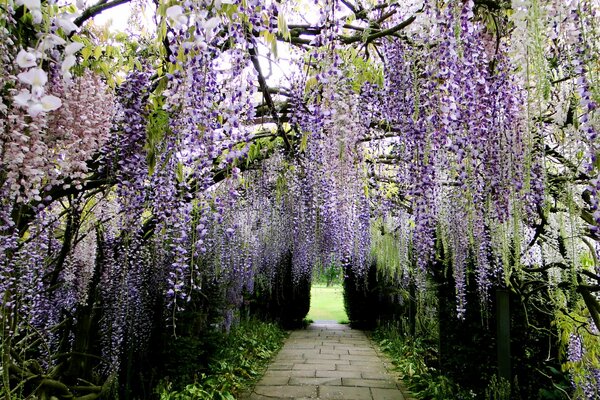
x=129 y=278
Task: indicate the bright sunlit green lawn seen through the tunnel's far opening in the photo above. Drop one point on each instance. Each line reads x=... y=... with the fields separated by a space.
x=327 y=303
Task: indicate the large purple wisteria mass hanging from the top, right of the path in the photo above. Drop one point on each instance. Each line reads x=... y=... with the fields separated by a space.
x=456 y=134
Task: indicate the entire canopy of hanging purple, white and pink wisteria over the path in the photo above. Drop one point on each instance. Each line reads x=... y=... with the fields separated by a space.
x=133 y=215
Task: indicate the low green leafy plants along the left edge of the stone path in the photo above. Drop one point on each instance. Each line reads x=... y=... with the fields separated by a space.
x=237 y=360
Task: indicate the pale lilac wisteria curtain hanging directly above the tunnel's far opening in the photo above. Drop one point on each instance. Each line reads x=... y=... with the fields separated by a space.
x=332 y=213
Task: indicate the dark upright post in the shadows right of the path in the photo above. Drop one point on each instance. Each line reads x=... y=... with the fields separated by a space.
x=503 y=333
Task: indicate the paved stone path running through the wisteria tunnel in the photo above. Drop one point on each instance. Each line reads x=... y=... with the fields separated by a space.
x=328 y=361
